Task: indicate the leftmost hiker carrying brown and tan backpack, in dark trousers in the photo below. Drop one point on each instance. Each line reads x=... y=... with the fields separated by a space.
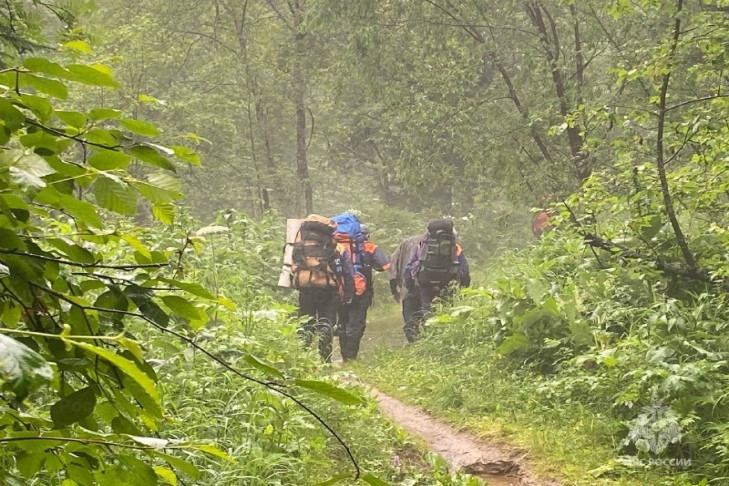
x=322 y=272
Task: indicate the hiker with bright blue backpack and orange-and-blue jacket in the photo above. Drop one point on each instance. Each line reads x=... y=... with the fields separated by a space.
x=366 y=257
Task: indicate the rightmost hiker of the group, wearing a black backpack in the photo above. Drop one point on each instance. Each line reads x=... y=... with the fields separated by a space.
x=436 y=265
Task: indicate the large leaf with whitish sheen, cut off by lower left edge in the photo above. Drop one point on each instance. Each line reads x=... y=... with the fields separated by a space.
x=21 y=368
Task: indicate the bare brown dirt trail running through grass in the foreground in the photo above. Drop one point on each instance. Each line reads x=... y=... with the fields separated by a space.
x=497 y=465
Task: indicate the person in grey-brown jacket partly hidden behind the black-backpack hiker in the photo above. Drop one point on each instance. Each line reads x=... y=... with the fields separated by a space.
x=410 y=300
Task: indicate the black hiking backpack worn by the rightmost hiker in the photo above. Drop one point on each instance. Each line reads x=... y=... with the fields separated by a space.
x=438 y=260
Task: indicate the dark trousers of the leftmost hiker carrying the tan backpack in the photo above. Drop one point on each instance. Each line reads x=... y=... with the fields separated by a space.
x=321 y=307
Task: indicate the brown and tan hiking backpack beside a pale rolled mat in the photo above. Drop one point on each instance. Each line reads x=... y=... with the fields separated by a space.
x=313 y=251
